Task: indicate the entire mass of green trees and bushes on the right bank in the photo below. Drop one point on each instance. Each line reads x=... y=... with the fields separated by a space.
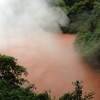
x=84 y=18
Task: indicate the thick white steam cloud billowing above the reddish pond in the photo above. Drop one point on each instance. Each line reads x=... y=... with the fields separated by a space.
x=30 y=16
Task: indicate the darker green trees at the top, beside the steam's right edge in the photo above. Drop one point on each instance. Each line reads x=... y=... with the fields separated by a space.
x=78 y=12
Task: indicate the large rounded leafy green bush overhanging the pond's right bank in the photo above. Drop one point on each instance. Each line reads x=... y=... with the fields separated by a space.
x=89 y=36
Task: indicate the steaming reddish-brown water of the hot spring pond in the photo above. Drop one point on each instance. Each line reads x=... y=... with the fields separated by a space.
x=52 y=63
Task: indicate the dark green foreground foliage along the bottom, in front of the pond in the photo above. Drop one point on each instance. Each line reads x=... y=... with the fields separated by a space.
x=12 y=85
